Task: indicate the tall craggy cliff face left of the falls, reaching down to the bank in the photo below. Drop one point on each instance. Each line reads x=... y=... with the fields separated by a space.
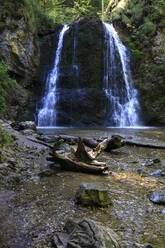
x=20 y=51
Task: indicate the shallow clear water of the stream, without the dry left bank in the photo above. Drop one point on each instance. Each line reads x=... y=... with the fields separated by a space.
x=41 y=206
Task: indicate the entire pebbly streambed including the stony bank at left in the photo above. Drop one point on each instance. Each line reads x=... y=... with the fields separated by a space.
x=37 y=198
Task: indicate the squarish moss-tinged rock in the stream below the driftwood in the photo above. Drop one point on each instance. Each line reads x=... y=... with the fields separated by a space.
x=93 y=194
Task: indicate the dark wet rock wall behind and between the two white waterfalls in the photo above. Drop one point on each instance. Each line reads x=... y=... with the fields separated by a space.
x=79 y=88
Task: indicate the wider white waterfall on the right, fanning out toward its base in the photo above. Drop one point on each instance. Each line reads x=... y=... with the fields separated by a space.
x=121 y=98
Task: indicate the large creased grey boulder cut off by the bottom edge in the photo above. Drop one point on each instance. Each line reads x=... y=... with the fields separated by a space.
x=86 y=233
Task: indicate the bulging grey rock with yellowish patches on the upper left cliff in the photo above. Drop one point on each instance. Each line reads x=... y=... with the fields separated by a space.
x=19 y=49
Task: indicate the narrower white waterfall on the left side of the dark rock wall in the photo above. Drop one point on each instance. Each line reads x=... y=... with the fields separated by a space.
x=47 y=114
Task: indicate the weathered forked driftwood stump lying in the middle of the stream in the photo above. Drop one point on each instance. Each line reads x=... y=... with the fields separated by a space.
x=82 y=160
